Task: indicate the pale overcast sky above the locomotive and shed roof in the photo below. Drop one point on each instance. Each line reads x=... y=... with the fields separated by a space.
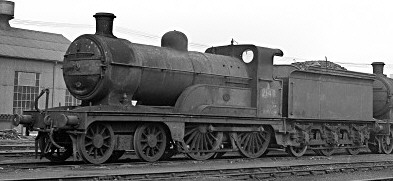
x=353 y=33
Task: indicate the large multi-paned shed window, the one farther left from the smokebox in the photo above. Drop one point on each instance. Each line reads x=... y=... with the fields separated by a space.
x=26 y=89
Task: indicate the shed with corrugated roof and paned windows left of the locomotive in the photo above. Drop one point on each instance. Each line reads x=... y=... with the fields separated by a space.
x=29 y=62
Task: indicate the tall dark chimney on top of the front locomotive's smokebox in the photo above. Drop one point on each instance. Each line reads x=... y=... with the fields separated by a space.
x=104 y=24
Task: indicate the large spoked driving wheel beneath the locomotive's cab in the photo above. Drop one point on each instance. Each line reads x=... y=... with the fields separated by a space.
x=252 y=144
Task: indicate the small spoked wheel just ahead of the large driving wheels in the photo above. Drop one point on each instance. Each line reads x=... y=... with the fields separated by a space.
x=150 y=142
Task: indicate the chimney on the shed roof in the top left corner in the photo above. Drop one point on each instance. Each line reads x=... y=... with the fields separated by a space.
x=6 y=14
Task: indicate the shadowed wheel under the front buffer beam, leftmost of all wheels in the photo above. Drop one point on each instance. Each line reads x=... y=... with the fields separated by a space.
x=51 y=152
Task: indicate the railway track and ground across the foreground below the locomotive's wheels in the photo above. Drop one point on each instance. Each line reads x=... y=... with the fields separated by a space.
x=232 y=169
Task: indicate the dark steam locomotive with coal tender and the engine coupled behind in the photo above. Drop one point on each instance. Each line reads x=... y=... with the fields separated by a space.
x=205 y=104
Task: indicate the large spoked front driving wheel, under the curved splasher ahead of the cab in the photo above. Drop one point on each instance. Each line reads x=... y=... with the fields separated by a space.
x=201 y=142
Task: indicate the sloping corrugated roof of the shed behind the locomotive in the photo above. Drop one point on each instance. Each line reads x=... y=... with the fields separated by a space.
x=29 y=44
